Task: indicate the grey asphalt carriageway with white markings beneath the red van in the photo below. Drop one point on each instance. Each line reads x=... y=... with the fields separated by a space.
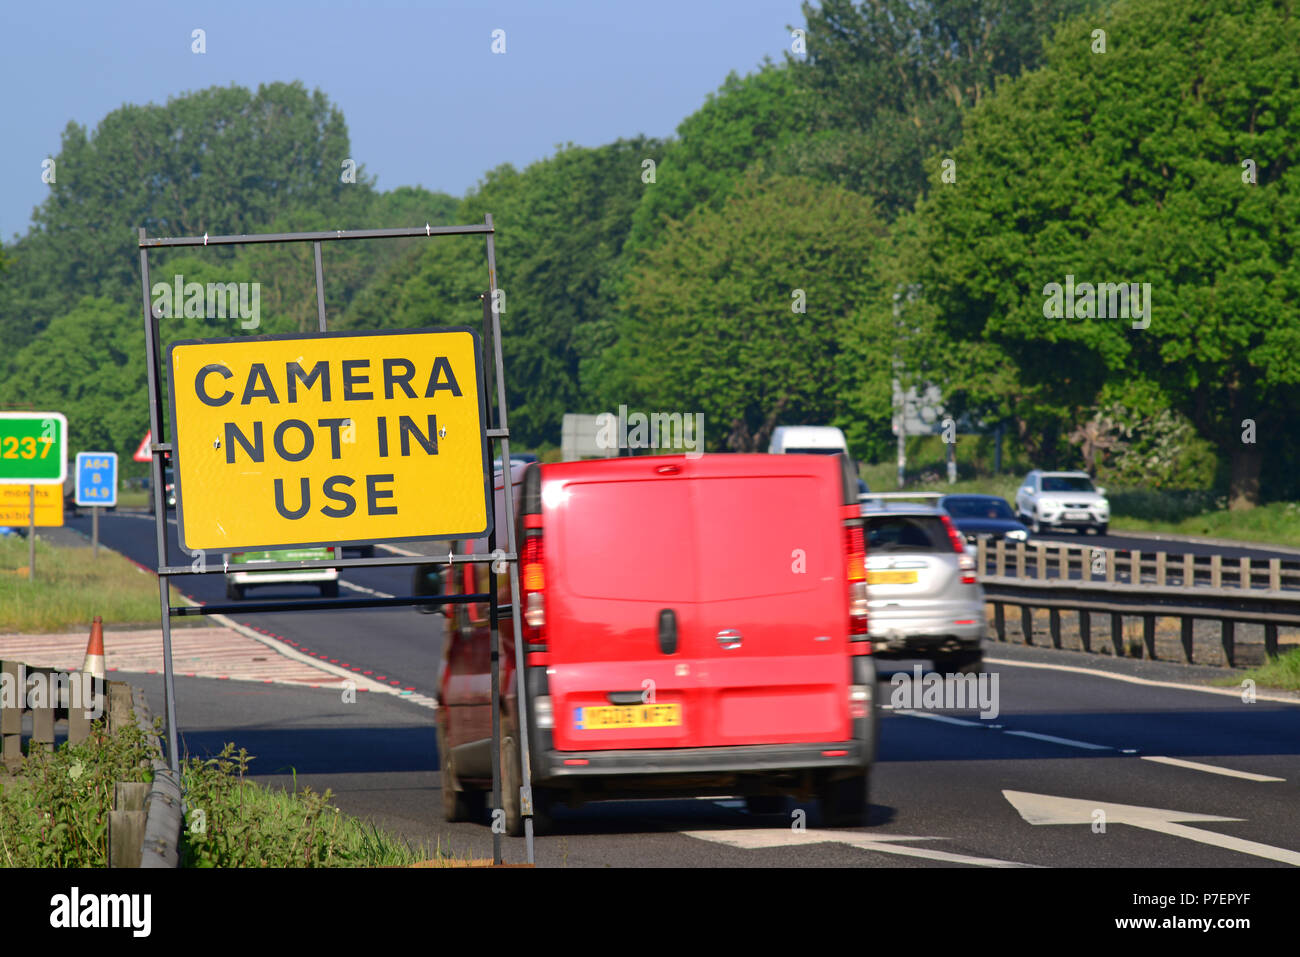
x=1117 y=769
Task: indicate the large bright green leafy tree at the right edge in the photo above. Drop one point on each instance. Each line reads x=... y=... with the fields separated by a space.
x=1167 y=161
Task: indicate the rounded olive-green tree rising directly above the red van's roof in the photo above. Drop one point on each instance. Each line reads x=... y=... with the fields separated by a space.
x=752 y=315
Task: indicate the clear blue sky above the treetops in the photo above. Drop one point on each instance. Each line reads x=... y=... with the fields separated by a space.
x=426 y=99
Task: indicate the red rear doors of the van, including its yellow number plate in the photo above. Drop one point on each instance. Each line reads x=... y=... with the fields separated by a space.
x=714 y=588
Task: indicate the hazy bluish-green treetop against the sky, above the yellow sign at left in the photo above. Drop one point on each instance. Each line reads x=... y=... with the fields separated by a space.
x=222 y=161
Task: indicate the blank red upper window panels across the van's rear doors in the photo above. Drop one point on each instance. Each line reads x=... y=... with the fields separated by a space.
x=699 y=540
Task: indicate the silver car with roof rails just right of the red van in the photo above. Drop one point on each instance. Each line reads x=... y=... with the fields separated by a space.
x=924 y=596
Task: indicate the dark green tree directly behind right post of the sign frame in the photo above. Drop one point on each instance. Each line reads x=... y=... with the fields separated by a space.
x=561 y=228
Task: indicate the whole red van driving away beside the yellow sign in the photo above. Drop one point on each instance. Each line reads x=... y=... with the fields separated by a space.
x=694 y=626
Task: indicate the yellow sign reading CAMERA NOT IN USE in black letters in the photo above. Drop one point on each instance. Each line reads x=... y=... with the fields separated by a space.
x=328 y=440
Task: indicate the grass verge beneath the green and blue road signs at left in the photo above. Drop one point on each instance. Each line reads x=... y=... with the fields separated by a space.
x=72 y=587
